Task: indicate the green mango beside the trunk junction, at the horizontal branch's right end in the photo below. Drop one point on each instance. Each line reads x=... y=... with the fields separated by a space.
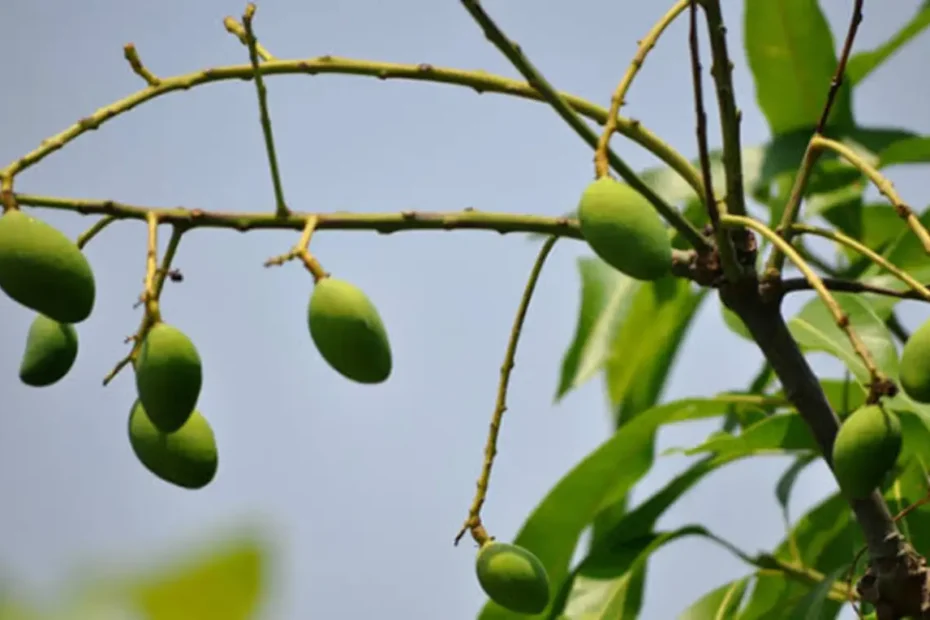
x=624 y=230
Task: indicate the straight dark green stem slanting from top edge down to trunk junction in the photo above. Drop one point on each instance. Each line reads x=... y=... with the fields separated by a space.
x=515 y=55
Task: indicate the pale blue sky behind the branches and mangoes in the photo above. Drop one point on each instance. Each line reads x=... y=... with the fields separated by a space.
x=364 y=486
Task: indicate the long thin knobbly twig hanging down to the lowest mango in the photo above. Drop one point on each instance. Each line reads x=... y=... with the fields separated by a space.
x=473 y=523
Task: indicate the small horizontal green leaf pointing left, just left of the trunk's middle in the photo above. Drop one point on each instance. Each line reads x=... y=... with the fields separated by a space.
x=777 y=434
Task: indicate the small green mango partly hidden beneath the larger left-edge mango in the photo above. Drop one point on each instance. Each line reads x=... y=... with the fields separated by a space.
x=51 y=348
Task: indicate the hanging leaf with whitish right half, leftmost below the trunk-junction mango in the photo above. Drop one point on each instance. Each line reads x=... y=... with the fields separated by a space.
x=605 y=297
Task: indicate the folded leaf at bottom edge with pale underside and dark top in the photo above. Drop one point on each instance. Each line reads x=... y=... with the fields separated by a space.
x=608 y=583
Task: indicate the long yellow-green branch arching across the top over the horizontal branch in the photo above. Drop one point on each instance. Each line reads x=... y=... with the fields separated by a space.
x=480 y=81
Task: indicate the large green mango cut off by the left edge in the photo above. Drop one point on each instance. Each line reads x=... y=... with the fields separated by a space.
x=44 y=270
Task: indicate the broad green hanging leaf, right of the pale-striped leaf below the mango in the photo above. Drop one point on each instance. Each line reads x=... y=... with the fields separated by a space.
x=645 y=345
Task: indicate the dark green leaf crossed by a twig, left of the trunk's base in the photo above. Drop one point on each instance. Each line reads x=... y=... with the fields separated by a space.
x=824 y=539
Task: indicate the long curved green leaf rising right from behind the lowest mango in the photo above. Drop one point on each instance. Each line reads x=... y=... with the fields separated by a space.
x=599 y=480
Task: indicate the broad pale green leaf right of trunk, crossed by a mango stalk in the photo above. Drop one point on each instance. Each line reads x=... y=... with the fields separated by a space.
x=815 y=330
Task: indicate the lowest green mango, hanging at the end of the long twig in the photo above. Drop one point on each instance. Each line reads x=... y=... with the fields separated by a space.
x=512 y=577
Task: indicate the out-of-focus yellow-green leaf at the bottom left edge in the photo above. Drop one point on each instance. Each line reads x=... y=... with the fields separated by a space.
x=223 y=584
